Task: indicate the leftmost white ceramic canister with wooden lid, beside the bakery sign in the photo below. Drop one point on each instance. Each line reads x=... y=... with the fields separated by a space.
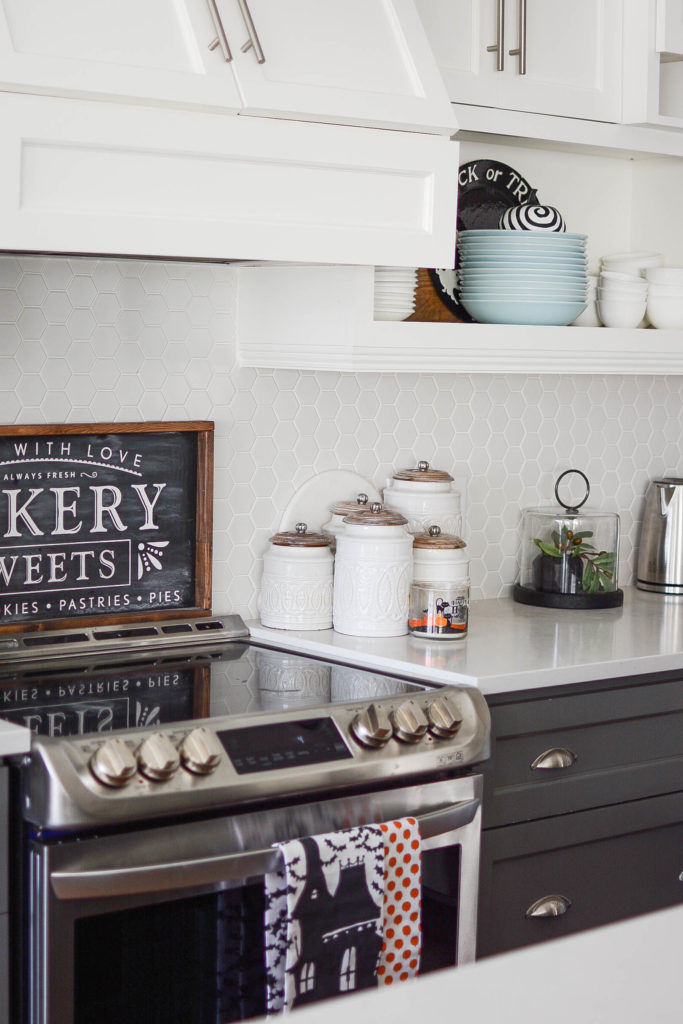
x=296 y=586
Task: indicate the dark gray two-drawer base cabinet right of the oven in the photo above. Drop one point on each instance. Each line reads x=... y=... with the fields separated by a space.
x=596 y=840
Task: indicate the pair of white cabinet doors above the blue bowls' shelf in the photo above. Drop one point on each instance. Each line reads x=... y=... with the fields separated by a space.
x=573 y=55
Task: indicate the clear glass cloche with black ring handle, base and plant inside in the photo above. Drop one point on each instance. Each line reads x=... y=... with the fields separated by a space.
x=570 y=556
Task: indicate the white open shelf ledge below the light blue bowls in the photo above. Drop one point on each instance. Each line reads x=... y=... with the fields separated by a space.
x=321 y=318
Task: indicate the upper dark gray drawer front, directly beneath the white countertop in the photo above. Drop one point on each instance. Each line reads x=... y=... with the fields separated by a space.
x=561 y=755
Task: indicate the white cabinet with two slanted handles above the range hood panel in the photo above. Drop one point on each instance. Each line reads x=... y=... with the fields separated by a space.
x=359 y=63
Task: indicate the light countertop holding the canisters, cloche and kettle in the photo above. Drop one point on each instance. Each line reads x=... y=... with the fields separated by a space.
x=511 y=647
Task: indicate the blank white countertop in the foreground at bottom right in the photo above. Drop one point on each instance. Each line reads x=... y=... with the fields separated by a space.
x=628 y=972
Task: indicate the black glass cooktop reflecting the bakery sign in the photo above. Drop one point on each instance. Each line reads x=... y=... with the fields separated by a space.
x=101 y=696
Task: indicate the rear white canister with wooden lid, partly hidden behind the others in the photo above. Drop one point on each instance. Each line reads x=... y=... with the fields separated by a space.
x=425 y=497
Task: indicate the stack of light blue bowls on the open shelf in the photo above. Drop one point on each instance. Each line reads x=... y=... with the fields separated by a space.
x=523 y=277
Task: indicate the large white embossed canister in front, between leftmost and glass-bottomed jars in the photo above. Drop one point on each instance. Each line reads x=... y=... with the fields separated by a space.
x=373 y=572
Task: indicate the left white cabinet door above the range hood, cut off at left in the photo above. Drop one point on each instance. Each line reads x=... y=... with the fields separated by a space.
x=148 y=51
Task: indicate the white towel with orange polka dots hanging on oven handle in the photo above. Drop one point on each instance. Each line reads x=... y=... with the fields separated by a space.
x=402 y=919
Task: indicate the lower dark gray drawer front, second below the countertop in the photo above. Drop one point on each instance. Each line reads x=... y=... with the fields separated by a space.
x=545 y=880
